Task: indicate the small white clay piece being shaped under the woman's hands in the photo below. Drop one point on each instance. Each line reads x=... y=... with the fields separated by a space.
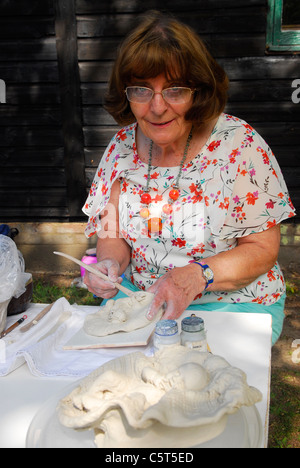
x=125 y=314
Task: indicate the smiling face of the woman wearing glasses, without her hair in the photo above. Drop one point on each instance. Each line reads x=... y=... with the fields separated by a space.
x=158 y=120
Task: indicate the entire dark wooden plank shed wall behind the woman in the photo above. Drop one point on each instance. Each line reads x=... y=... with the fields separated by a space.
x=49 y=48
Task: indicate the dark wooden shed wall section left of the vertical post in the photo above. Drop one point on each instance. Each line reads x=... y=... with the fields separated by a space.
x=32 y=179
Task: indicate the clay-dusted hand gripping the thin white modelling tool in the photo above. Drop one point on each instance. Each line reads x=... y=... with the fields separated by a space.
x=100 y=287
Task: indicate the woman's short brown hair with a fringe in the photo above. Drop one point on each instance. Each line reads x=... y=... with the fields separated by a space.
x=162 y=44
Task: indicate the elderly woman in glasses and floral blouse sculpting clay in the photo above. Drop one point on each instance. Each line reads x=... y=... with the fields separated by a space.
x=187 y=201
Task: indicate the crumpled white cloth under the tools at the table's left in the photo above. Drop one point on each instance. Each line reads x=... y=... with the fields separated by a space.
x=42 y=347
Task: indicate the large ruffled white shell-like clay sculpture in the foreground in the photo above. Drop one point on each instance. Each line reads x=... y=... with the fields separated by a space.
x=139 y=401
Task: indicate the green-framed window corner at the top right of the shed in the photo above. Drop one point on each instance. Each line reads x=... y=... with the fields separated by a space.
x=283 y=32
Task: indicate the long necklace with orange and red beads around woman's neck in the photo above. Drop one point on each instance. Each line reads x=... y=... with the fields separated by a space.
x=155 y=223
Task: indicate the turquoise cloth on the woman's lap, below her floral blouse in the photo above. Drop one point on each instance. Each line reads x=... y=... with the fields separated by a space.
x=276 y=310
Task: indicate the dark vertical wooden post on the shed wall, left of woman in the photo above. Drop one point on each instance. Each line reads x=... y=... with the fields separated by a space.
x=65 y=25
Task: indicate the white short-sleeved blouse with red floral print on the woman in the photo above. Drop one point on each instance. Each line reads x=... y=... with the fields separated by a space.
x=232 y=188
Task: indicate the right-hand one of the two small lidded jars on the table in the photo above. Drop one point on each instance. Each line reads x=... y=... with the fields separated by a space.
x=193 y=334
